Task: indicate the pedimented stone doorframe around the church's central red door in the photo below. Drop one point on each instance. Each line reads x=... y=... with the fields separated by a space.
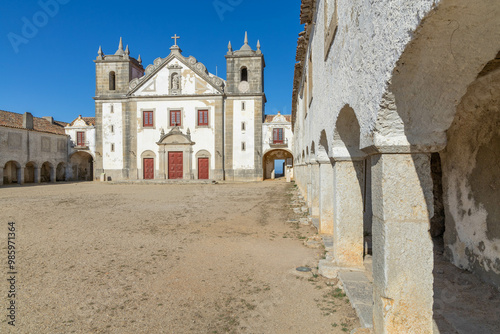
x=176 y=141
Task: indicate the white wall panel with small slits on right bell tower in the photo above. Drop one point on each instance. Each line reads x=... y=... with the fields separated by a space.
x=243 y=159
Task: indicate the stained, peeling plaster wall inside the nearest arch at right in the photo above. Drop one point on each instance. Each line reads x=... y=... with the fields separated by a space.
x=471 y=177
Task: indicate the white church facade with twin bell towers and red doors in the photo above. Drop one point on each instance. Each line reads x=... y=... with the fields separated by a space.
x=175 y=120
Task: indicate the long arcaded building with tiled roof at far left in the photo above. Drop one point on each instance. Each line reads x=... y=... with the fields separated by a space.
x=32 y=149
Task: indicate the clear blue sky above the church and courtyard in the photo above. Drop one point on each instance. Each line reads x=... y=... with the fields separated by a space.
x=48 y=69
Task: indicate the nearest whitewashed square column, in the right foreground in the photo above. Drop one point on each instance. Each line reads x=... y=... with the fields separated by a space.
x=402 y=245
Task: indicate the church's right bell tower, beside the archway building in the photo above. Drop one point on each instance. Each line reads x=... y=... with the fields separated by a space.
x=244 y=110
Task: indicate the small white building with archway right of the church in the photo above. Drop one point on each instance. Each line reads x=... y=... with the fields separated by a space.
x=277 y=139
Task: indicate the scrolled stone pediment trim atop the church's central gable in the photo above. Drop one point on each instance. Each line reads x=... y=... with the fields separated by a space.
x=190 y=62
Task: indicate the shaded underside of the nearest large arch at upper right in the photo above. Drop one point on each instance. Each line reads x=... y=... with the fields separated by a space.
x=434 y=71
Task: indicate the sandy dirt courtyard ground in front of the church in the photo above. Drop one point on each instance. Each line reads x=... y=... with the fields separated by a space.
x=101 y=258
